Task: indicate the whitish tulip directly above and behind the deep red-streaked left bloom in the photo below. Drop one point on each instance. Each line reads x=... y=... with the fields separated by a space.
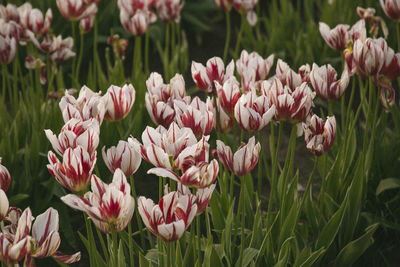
x=76 y=133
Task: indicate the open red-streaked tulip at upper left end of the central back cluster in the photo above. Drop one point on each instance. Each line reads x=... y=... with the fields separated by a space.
x=214 y=71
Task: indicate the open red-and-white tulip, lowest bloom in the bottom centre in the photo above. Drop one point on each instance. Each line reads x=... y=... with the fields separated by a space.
x=171 y=217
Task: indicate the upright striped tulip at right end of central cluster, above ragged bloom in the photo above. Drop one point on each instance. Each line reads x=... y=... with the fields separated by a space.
x=326 y=84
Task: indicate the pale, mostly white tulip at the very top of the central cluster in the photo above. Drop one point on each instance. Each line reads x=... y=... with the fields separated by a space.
x=255 y=62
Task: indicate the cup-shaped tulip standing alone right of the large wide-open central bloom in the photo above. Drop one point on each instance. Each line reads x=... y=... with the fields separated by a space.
x=243 y=160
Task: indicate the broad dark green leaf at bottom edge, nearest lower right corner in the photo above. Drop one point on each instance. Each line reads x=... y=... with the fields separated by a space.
x=353 y=250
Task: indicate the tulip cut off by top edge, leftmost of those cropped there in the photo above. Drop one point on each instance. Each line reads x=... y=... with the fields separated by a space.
x=76 y=9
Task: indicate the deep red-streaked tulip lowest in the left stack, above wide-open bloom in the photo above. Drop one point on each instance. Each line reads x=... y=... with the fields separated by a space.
x=75 y=170
